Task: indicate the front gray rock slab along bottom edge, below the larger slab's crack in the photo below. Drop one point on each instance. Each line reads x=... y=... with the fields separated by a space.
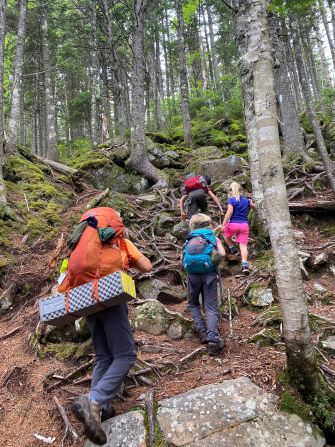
x=284 y=430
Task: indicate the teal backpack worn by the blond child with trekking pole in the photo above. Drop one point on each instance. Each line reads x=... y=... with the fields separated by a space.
x=197 y=251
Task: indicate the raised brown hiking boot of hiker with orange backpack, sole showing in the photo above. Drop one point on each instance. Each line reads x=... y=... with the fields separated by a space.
x=88 y=412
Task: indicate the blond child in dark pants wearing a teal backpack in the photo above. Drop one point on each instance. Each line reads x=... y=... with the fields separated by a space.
x=201 y=255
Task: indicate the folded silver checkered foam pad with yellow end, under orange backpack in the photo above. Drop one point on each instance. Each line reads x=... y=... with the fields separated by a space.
x=111 y=290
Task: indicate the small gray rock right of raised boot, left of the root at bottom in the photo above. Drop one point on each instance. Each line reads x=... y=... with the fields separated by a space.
x=126 y=430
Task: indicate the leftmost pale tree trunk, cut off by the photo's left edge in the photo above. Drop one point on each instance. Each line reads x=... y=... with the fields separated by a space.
x=3 y=195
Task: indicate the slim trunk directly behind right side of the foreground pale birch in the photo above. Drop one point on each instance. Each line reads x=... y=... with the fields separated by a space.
x=289 y=119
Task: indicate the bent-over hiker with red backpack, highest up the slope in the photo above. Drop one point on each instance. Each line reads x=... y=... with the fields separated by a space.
x=196 y=188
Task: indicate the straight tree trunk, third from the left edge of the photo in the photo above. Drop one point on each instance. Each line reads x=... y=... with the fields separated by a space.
x=51 y=141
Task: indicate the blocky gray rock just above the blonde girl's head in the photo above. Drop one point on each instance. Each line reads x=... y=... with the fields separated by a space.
x=222 y=169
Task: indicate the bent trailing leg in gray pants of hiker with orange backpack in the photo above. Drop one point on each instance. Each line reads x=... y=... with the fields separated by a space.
x=121 y=344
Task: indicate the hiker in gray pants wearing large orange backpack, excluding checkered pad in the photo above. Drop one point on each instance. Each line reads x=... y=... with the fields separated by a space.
x=99 y=247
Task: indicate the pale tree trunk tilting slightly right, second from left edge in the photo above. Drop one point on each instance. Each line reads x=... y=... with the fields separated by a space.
x=14 y=118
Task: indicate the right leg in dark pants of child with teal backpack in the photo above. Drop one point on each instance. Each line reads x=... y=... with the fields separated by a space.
x=210 y=297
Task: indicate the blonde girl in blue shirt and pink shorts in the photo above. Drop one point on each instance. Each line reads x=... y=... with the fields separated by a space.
x=236 y=222
